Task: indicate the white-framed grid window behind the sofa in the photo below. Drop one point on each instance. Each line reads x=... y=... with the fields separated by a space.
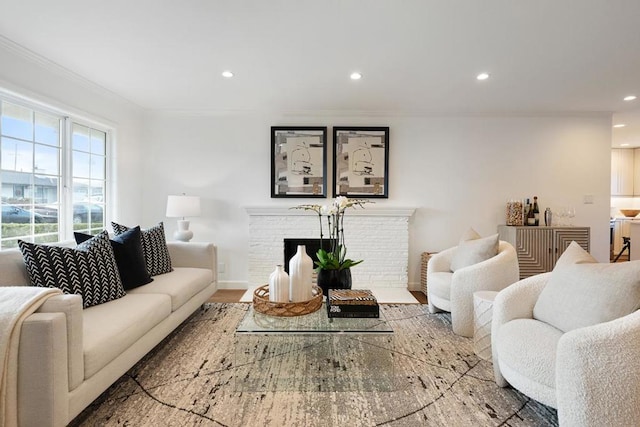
x=52 y=175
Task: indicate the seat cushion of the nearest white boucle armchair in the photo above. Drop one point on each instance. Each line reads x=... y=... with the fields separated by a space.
x=528 y=347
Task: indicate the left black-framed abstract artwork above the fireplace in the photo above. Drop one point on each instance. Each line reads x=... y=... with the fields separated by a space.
x=299 y=161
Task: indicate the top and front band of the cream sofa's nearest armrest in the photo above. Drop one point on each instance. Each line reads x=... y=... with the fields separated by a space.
x=71 y=307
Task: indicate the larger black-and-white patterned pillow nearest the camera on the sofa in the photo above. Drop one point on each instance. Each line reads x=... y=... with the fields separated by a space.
x=88 y=270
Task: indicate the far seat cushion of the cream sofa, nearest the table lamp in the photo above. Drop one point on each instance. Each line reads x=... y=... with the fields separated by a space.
x=181 y=284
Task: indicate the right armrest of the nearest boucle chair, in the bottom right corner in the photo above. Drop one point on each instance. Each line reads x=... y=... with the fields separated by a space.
x=598 y=374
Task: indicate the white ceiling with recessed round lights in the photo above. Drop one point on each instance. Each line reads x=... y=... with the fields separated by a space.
x=416 y=56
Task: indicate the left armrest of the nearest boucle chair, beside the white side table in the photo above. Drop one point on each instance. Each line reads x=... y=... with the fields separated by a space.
x=514 y=302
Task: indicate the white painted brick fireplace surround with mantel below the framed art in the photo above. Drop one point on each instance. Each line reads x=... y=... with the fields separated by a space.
x=379 y=236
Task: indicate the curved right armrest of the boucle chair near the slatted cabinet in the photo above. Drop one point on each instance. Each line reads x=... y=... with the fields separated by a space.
x=493 y=274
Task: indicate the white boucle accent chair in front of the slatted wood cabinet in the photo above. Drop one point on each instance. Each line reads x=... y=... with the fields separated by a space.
x=452 y=291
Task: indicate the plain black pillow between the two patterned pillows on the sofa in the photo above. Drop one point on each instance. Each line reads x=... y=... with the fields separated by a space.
x=127 y=248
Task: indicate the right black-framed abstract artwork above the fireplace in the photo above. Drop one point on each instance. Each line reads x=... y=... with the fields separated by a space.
x=361 y=161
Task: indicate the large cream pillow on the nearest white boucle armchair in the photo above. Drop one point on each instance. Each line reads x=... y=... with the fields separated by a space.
x=583 y=293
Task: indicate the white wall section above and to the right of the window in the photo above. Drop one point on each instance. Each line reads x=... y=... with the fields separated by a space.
x=41 y=81
